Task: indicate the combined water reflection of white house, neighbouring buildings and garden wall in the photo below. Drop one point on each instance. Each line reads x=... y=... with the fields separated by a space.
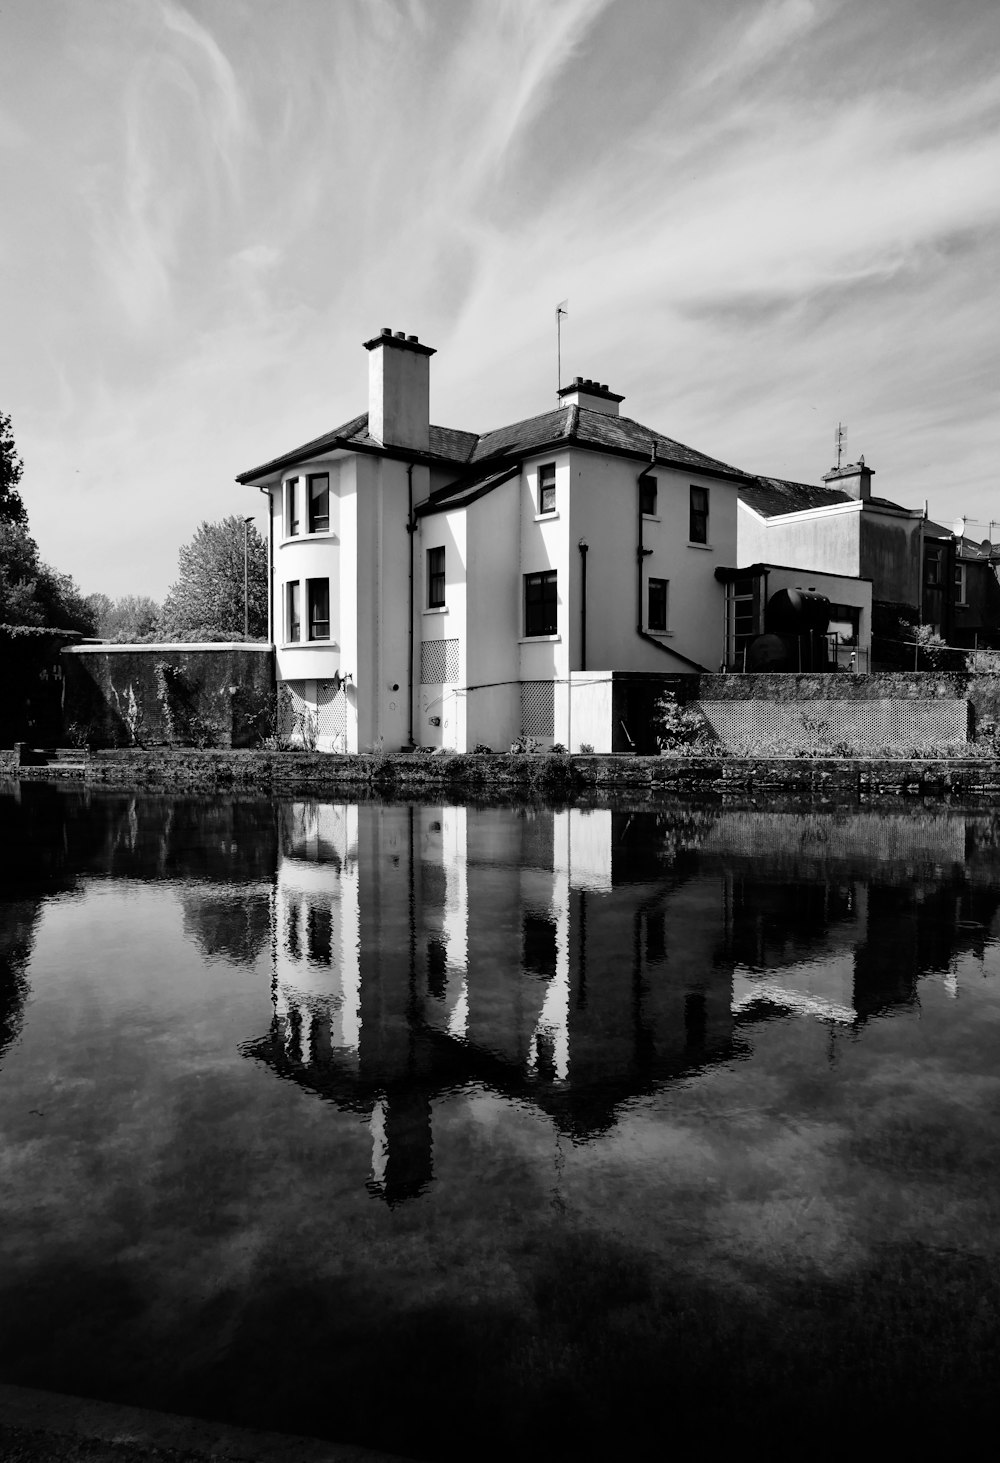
x=578 y=959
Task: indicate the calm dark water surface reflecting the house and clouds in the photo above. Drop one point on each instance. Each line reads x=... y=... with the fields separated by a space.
x=493 y=1132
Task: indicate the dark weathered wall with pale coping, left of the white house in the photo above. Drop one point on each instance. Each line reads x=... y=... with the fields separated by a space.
x=112 y=693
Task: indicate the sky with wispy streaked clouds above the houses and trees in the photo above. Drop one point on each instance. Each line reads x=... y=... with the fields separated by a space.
x=768 y=216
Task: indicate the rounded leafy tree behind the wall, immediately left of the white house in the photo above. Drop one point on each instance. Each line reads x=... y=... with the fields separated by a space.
x=207 y=601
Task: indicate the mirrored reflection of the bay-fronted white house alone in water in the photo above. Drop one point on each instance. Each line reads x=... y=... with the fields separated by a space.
x=568 y=959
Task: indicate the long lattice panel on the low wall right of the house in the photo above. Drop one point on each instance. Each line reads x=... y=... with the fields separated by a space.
x=868 y=726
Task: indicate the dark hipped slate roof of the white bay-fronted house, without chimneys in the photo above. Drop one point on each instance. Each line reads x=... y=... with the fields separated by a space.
x=564 y=426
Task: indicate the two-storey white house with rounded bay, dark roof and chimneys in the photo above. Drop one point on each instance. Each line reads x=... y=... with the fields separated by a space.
x=447 y=589
